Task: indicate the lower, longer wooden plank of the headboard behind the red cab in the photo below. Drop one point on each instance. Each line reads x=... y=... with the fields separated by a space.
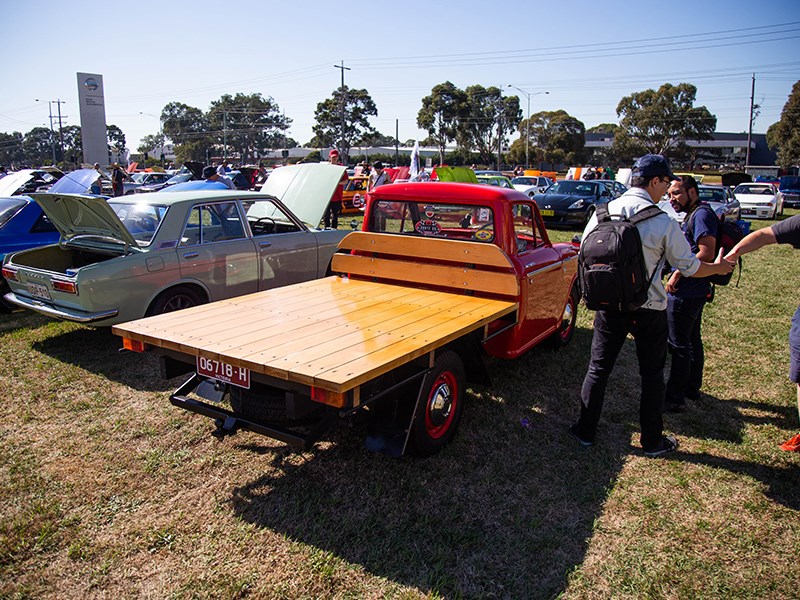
x=459 y=278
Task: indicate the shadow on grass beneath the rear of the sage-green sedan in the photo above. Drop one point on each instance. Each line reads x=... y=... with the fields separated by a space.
x=97 y=350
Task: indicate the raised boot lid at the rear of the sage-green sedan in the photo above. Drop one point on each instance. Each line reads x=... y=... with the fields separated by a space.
x=75 y=215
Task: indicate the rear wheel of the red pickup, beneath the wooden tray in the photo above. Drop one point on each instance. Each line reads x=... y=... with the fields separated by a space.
x=440 y=408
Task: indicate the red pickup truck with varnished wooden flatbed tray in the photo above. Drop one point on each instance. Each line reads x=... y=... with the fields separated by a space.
x=441 y=274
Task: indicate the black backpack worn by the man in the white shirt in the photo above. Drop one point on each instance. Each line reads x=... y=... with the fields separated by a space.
x=611 y=266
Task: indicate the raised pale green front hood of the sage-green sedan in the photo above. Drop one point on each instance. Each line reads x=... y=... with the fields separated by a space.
x=305 y=189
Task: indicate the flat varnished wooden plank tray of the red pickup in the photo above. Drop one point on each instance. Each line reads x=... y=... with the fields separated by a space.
x=334 y=333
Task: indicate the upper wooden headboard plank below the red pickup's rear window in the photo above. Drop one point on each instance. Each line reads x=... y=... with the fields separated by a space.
x=476 y=253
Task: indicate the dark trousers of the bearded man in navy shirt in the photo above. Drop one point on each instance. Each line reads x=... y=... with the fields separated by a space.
x=685 y=316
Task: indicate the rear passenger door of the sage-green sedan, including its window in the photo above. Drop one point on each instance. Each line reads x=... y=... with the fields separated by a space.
x=216 y=250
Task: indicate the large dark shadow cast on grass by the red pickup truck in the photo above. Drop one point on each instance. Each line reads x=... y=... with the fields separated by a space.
x=506 y=510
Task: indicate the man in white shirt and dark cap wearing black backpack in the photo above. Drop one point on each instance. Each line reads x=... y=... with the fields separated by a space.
x=639 y=310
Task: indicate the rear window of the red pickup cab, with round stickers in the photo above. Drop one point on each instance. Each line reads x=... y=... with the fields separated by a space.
x=430 y=219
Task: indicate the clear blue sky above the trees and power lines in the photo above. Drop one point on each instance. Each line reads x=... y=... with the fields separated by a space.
x=587 y=55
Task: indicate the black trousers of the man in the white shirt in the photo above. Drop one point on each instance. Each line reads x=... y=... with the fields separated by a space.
x=649 y=330
